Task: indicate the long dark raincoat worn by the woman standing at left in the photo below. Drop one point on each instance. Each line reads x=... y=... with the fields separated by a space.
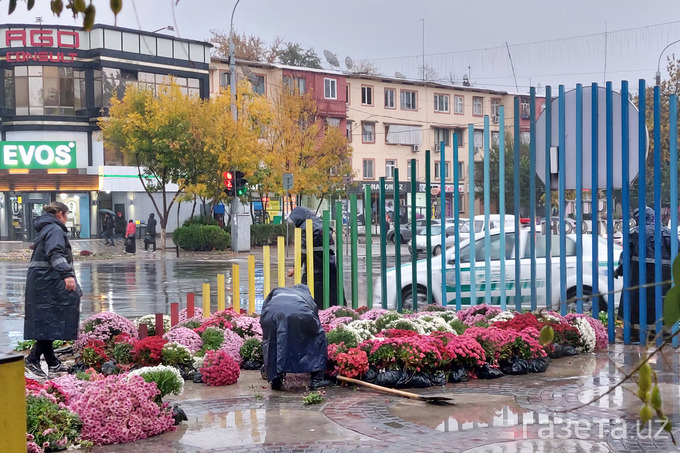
x=52 y=312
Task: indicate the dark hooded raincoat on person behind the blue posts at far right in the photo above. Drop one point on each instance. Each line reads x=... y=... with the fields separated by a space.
x=646 y=254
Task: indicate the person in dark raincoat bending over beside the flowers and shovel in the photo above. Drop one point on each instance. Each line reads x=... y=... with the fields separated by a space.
x=293 y=339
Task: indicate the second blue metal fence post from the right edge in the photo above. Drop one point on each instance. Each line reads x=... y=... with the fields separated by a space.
x=658 y=299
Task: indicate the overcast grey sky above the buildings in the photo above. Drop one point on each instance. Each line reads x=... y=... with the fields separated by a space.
x=550 y=42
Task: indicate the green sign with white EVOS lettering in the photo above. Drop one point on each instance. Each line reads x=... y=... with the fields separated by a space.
x=37 y=155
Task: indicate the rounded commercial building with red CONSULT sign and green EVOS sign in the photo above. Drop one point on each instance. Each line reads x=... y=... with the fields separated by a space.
x=56 y=84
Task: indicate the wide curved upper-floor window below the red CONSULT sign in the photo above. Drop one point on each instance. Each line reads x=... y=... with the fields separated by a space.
x=45 y=90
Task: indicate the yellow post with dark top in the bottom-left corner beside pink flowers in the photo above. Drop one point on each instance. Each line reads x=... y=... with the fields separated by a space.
x=12 y=403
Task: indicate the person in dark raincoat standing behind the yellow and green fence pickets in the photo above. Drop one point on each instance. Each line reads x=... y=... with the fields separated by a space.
x=299 y=217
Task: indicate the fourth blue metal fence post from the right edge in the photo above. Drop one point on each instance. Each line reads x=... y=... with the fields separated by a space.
x=625 y=208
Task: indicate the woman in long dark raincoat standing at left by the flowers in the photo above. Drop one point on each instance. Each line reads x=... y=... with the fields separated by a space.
x=52 y=292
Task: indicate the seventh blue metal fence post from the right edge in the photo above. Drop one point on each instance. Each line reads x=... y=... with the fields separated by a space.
x=579 y=198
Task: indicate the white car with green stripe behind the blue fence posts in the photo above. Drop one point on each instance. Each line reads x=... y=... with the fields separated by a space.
x=479 y=248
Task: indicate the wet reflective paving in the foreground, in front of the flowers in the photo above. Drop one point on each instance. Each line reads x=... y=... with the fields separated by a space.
x=530 y=413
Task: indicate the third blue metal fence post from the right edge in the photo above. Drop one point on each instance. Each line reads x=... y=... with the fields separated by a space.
x=642 y=188
